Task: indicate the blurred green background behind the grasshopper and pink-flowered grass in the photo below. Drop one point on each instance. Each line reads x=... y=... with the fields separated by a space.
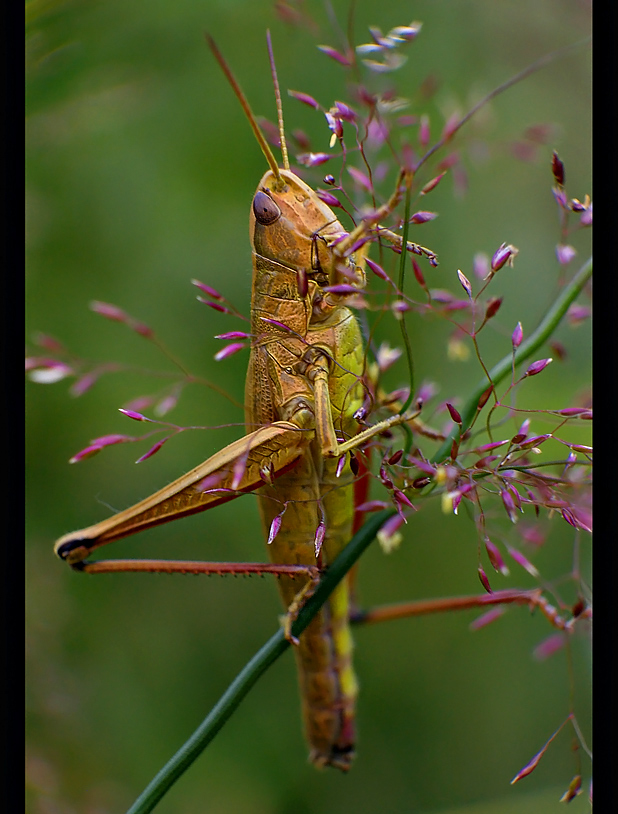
x=141 y=169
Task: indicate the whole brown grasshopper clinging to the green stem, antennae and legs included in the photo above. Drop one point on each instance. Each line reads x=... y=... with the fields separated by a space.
x=304 y=389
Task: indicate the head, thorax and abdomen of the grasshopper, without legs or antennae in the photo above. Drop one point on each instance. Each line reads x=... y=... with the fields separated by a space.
x=289 y=231
